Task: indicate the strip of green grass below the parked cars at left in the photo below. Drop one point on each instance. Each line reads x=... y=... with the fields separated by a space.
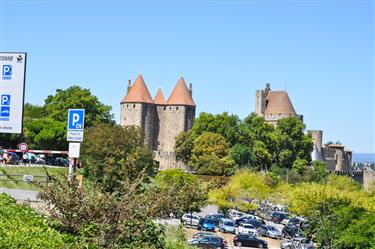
x=39 y=173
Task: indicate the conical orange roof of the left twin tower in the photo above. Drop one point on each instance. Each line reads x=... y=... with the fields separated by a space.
x=138 y=93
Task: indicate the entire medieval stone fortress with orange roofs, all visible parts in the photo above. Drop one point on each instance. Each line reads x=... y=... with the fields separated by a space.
x=161 y=120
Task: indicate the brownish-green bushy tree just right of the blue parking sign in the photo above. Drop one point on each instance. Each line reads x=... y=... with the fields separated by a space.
x=112 y=153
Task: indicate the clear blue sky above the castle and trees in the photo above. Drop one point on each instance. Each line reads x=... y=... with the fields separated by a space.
x=321 y=52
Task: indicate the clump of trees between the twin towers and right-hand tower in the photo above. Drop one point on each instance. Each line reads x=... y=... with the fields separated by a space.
x=220 y=144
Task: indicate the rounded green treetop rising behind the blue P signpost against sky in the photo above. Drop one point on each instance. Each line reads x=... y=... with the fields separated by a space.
x=56 y=106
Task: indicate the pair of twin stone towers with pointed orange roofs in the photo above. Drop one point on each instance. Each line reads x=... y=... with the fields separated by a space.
x=160 y=120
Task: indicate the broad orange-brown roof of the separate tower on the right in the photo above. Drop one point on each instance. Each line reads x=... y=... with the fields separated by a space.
x=279 y=103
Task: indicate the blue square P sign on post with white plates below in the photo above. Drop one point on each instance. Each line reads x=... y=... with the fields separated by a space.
x=76 y=124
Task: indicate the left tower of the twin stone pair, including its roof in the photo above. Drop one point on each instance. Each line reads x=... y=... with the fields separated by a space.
x=138 y=109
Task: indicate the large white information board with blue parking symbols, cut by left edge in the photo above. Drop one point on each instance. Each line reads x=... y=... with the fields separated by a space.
x=12 y=87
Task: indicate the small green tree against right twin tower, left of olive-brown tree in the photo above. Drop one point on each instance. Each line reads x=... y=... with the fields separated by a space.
x=183 y=147
